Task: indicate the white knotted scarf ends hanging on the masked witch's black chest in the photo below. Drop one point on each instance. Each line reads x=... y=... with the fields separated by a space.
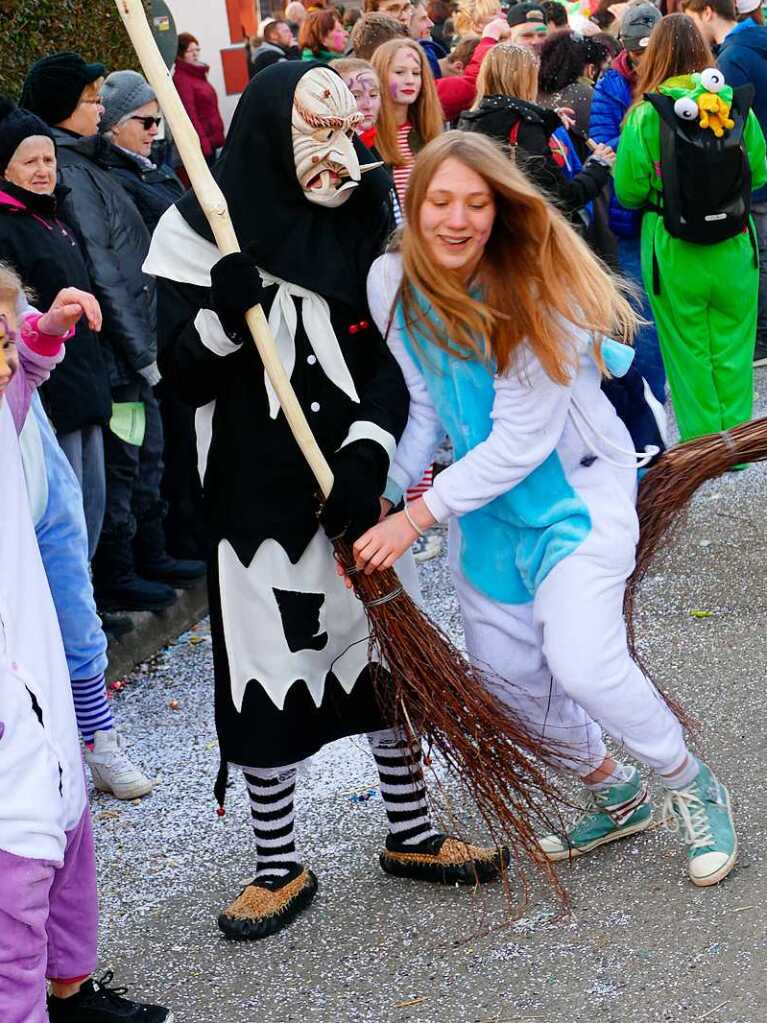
x=284 y=319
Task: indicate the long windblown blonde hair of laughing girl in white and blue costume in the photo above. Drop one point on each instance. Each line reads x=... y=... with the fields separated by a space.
x=537 y=277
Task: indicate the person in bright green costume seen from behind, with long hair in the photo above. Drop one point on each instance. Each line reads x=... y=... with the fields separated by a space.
x=705 y=295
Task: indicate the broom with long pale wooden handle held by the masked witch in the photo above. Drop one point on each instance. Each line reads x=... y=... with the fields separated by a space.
x=428 y=687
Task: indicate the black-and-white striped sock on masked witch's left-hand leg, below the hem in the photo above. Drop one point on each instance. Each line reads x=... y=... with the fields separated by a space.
x=272 y=792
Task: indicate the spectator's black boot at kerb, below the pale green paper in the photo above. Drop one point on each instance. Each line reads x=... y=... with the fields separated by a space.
x=117 y=586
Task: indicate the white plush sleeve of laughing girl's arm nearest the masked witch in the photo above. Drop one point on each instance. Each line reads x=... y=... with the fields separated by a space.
x=424 y=432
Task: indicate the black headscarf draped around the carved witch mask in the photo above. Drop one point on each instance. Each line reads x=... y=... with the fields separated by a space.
x=328 y=251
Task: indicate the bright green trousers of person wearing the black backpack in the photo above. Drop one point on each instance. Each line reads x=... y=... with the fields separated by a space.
x=706 y=315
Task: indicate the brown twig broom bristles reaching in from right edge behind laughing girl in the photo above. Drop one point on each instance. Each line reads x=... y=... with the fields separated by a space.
x=668 y=488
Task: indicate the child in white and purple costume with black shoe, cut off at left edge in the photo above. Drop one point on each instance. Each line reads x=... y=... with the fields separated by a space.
x=49 y=902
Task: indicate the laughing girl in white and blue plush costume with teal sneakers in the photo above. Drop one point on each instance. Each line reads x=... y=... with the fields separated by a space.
x=540 y=501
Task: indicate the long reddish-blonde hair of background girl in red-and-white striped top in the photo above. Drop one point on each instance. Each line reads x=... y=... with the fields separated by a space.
x=426 y=114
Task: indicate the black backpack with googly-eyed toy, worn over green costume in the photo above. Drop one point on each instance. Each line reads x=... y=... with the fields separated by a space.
x=706 y=181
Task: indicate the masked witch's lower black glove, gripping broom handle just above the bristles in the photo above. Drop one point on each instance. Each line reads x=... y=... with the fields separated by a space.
x=359 y=479
